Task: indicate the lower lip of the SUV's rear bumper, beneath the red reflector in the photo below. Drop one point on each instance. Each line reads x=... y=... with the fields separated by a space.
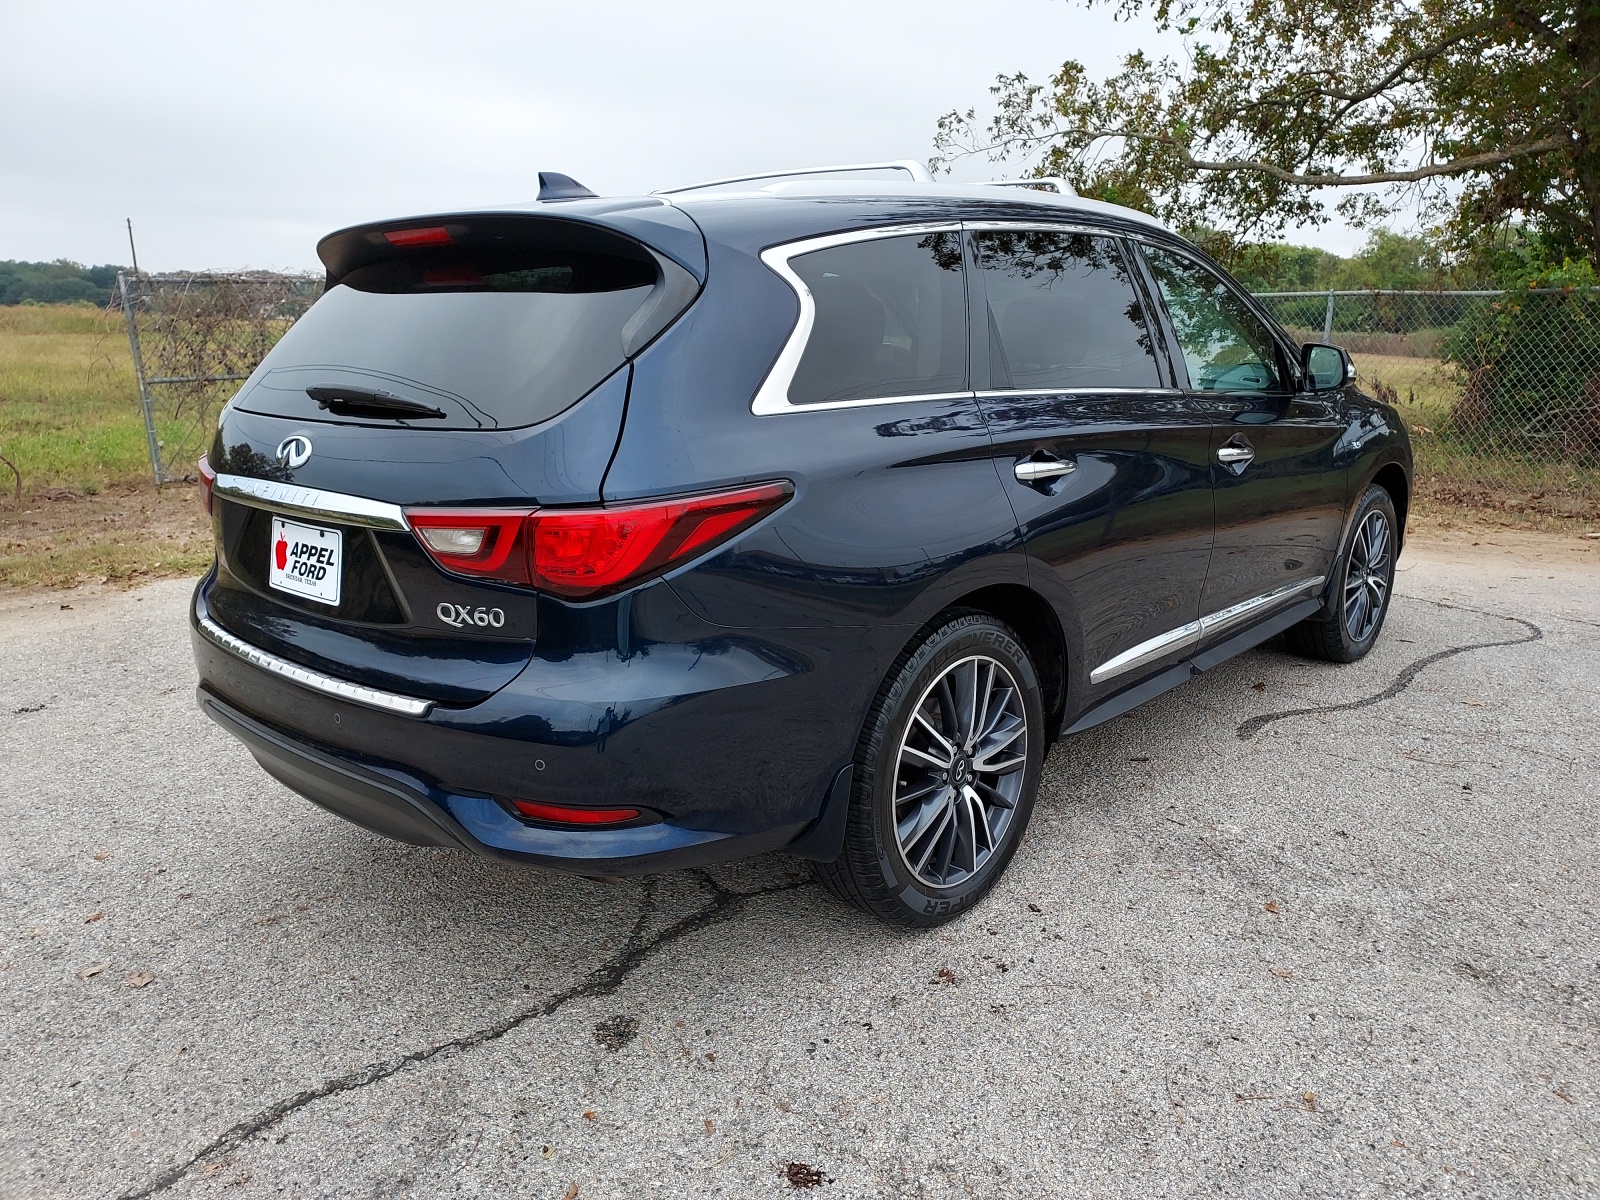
x=398 y=804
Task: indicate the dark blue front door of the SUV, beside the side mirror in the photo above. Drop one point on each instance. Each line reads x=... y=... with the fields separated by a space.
x=1279 y=494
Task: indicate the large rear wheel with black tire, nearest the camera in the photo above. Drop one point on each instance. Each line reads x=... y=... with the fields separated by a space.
x=876 y=873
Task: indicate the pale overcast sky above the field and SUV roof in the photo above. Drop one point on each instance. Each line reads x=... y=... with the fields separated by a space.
x=236 y=135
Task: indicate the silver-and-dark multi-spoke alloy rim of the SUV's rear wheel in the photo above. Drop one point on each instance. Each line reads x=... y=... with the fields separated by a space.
x=961 y=772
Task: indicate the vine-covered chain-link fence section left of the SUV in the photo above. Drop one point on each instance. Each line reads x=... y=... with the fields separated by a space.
x=194 y=338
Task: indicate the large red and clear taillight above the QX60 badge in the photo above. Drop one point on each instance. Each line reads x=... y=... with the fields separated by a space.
x=585 y=554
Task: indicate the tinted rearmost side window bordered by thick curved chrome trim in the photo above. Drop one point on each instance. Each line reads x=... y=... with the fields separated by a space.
x=890 y=321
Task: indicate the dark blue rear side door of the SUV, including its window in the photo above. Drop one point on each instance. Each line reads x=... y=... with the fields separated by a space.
x=1106 y=463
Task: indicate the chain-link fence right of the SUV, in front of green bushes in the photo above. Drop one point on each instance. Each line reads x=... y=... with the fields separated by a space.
x=1502 y=390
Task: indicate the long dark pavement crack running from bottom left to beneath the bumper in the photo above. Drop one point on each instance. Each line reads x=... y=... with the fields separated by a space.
x=601 y=982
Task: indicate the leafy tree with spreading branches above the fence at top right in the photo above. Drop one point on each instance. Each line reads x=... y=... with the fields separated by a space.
x=1479 y=113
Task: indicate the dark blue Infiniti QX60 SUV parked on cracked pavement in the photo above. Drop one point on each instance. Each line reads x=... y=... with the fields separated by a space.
x=622 y=535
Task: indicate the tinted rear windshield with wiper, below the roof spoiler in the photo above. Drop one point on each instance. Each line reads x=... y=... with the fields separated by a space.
x=484 y=337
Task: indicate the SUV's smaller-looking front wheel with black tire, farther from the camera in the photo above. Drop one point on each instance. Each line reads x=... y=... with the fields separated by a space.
x=1362 y=586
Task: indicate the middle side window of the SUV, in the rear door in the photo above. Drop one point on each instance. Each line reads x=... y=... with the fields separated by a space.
x=1063 y=314
